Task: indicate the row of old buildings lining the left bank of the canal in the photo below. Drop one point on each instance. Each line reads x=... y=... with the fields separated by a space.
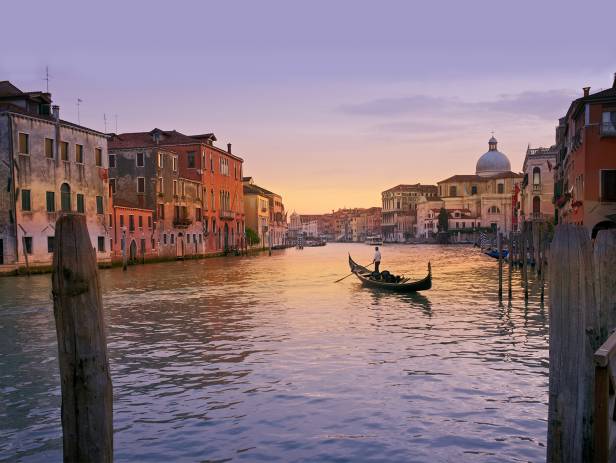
x=163 y=193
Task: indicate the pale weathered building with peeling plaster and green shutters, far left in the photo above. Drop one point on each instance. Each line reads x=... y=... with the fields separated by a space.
x=48 y=167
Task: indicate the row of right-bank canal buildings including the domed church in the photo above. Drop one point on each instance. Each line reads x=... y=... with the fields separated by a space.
x=572 y=181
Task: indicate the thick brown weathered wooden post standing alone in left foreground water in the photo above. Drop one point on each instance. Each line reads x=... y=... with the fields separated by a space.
x=87 y=417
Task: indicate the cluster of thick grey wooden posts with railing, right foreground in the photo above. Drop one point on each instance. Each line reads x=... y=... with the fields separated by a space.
x=582 y=316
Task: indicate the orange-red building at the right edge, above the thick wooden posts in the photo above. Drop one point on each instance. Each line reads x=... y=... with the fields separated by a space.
x=585 y=177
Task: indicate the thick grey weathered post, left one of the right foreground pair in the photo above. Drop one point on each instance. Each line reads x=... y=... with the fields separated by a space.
x=573 y=322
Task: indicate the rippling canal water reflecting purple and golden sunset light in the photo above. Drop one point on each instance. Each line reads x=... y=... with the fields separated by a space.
x=266 y=359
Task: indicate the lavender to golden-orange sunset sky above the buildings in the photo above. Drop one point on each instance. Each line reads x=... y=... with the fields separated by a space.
x=328 y=102
